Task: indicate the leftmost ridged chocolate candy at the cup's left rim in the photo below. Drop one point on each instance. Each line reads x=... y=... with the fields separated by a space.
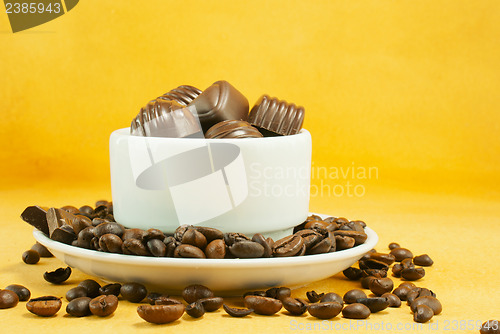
x=163 y=118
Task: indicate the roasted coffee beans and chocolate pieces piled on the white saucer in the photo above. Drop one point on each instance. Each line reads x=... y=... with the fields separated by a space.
x=96 y=229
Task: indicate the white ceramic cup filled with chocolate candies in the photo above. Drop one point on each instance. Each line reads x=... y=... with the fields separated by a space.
x=244 y=185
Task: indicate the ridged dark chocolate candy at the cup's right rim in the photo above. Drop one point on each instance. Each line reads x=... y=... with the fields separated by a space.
x=276 y=116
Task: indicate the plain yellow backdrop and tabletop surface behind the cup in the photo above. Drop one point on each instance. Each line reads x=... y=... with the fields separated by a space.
x=406 y=90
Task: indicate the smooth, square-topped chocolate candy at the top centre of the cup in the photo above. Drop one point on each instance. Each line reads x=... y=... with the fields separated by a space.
x=220 y=102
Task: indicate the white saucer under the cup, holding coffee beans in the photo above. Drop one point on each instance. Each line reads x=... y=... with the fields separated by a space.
x=229 y=276
